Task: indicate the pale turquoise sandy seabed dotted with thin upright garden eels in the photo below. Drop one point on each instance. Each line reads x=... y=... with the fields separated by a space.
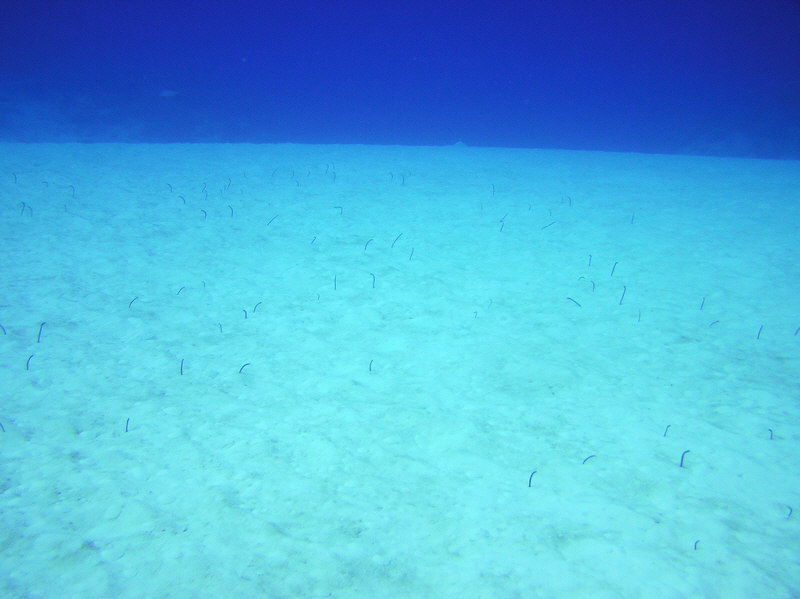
x=358 y=371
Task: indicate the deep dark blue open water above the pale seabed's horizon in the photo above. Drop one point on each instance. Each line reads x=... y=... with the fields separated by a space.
x=709 y=77
